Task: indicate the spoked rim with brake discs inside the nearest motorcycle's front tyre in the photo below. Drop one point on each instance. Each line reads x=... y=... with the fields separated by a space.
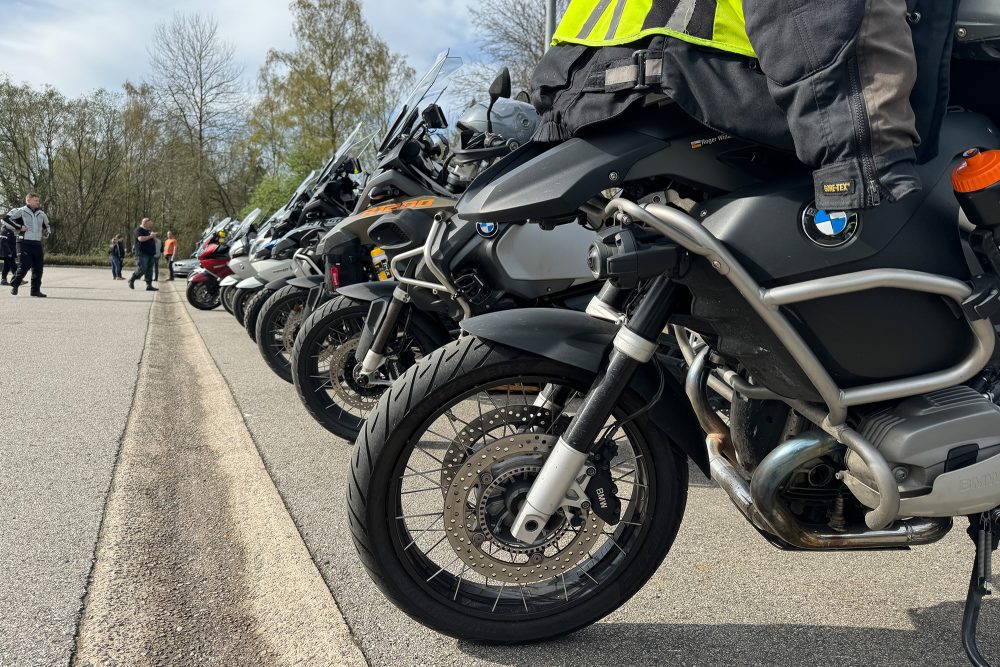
x=463 y=567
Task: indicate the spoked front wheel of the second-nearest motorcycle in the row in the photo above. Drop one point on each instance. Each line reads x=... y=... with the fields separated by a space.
x=324 y=367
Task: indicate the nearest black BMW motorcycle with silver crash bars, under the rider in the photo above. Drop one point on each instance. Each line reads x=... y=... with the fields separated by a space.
x=527 y=479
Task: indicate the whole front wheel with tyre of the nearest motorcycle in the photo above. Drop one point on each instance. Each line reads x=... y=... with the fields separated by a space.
x=442 y=467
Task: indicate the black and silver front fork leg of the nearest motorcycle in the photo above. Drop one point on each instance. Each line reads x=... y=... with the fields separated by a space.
x=634 y=345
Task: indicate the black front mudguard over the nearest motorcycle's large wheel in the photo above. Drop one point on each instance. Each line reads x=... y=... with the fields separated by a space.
x=579 y=340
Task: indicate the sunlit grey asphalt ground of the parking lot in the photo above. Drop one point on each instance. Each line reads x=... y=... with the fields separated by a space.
x=722 y=597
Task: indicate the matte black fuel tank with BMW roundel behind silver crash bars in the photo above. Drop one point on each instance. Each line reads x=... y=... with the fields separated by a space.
x=780 y=238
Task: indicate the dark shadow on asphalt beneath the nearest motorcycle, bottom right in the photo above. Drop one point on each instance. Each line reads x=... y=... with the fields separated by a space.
x=935 y=640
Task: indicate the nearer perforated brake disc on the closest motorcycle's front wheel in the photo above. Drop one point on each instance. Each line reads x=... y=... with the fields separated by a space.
x=481 y=490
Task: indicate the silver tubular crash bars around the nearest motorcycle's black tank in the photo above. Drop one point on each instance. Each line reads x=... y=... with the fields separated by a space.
x=691 y=235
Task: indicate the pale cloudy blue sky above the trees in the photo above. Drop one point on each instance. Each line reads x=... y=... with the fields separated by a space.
x=81 y=45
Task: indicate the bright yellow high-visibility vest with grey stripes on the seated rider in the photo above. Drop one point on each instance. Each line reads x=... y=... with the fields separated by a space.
x=714 y=23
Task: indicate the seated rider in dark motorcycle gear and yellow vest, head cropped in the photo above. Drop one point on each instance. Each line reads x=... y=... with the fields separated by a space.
x=857 y=87
